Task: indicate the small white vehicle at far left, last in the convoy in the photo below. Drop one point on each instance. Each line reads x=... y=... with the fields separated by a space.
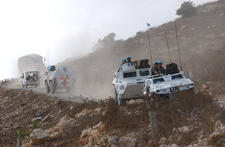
x=30 y=79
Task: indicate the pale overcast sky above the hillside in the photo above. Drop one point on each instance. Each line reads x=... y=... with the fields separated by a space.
x=66 y=28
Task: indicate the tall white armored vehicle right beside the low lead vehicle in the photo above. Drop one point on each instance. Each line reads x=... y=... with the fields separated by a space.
x=129 y=79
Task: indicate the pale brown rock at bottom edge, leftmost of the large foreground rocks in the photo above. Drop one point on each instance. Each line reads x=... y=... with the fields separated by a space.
x=39 y=136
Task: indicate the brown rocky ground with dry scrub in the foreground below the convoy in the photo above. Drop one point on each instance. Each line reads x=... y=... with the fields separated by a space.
x=29 y=119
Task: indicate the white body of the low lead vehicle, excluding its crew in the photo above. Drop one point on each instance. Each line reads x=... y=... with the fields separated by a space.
x=167 y=84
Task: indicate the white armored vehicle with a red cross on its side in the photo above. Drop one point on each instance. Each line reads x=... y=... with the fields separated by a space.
x=58 y=78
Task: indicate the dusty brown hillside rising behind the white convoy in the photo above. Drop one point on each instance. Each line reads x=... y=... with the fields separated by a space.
x=202 y=45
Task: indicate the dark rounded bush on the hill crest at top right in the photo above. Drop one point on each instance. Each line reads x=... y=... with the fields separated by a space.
x=187 y=9
